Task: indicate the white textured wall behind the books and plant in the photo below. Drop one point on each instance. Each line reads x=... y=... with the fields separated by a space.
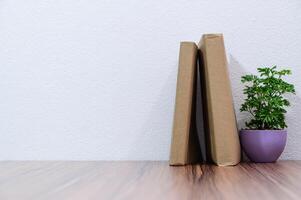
x=96 y=79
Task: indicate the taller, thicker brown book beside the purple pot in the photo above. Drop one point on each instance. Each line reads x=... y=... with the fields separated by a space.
x=223 y=134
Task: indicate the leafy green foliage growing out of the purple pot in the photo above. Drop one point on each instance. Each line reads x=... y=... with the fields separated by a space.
x=265 y=98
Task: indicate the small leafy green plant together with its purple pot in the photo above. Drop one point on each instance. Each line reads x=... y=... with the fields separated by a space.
x=264 y=138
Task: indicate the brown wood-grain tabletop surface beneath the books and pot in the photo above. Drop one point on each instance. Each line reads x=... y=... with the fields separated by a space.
x=148 y=180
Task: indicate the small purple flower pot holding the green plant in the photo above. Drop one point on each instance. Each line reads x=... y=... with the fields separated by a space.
x=263 y=145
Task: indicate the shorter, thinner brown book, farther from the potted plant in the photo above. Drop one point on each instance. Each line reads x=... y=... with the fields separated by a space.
x=185 y=146
